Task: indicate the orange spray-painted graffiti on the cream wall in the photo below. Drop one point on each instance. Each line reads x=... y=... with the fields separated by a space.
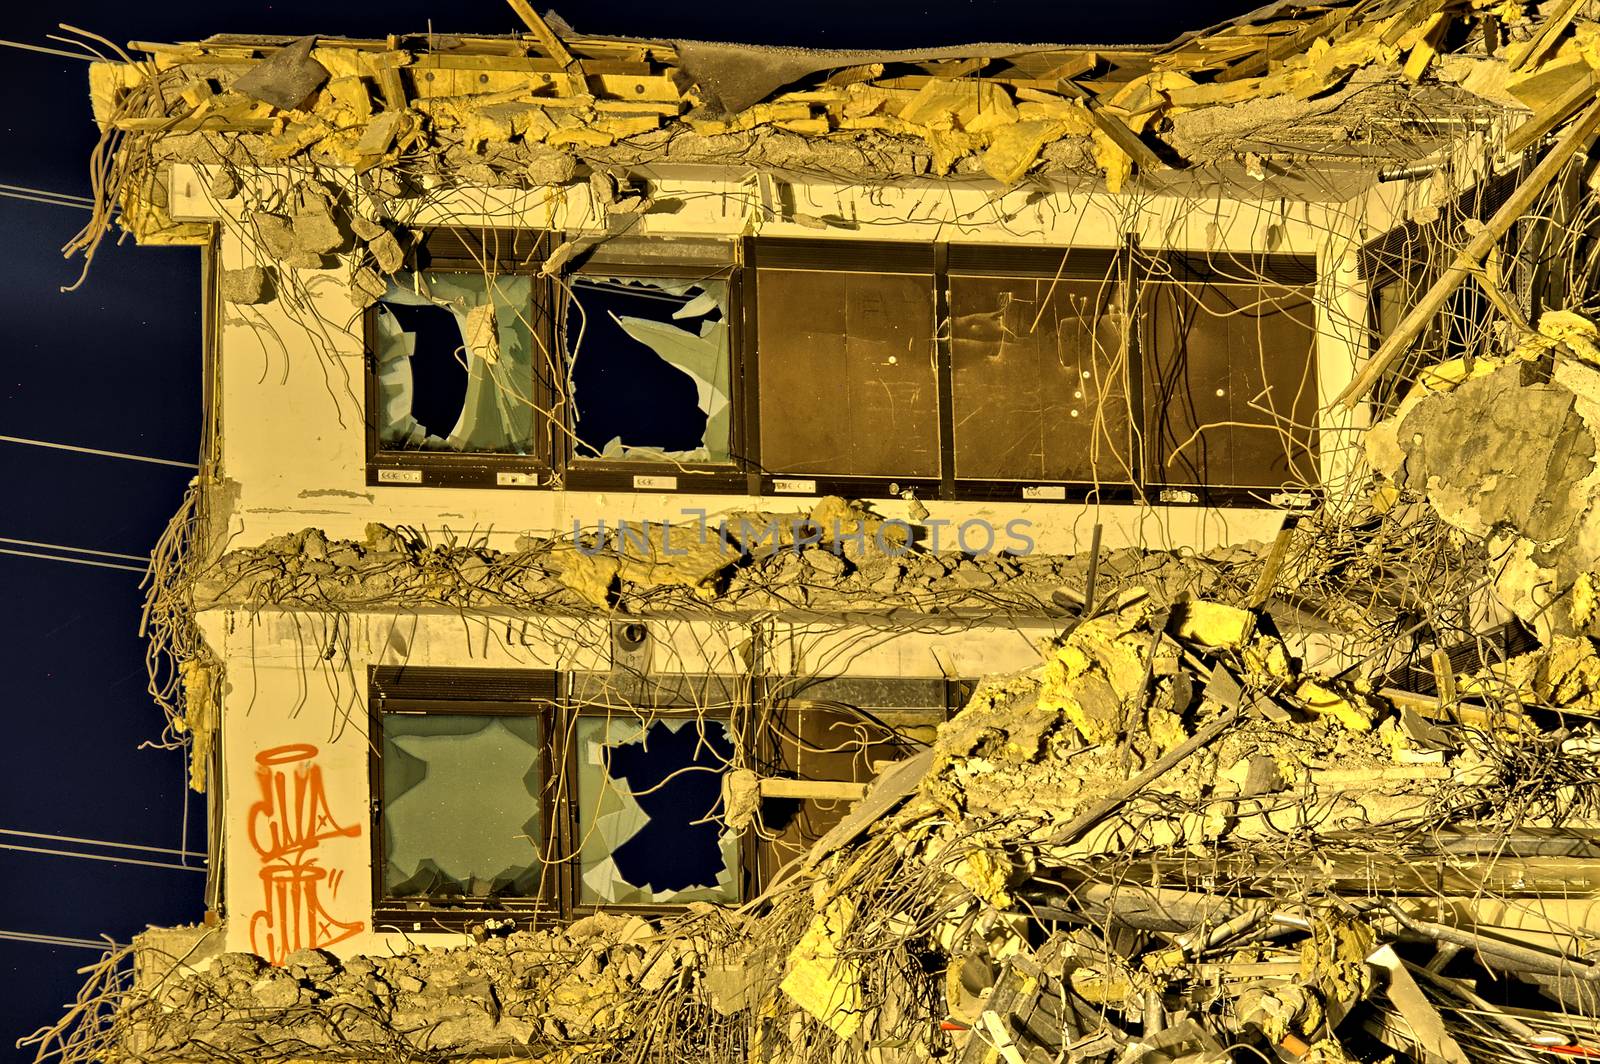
x=287 y=828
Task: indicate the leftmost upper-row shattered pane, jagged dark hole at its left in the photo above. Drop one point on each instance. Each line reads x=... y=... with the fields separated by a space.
x=455 y=364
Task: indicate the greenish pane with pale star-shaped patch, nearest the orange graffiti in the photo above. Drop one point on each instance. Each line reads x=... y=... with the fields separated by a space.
x=462 y=806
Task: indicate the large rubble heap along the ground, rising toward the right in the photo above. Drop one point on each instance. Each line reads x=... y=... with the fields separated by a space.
x=1175 y=838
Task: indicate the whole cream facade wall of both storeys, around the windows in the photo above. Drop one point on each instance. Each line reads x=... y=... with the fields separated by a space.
x=290 y=385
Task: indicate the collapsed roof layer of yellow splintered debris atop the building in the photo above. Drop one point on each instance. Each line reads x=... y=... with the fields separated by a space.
x=1306 y=97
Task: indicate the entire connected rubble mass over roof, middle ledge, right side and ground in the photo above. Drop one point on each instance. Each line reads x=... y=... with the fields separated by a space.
x=1332 y=799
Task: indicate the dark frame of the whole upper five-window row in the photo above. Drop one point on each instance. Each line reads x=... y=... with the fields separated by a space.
x=740 y=263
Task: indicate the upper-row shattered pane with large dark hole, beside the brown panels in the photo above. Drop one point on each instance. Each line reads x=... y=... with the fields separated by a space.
x=650 y=372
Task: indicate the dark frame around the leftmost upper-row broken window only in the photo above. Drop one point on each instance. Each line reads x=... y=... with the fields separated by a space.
x=468 y=252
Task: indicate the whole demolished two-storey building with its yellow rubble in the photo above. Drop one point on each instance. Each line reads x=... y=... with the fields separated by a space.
x=1010 y=553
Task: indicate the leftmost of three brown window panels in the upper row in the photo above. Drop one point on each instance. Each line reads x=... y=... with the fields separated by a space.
x=849 y=383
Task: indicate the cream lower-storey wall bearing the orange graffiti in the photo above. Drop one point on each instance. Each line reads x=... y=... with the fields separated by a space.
x=297 y=743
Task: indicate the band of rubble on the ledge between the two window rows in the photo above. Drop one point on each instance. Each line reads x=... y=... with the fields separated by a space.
x=746 y=562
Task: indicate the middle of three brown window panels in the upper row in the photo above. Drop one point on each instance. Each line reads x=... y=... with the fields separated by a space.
x=1039 y=383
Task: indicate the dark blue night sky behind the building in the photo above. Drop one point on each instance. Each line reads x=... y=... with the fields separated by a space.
x=118 y=366
